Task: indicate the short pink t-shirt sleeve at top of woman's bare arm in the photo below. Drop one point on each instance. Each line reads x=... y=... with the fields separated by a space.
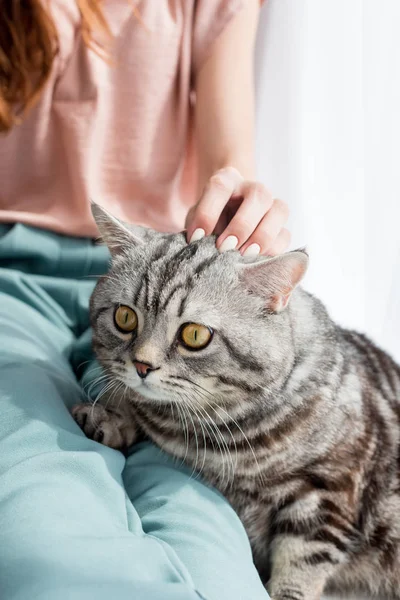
x=210 y=19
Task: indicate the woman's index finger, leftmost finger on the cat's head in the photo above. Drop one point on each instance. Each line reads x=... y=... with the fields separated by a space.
x=217 y=193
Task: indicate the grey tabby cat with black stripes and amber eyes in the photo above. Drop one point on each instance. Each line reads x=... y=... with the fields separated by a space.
x=293 y=418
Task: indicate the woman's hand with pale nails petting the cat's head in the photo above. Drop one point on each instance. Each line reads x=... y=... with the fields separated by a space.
x=242 y=213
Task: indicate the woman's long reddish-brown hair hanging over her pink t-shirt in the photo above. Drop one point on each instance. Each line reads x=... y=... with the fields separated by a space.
x=28 y=46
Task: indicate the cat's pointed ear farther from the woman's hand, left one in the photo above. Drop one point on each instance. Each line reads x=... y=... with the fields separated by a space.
x=117 y=235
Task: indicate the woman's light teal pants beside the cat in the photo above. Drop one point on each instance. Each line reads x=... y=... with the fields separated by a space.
x=77 y=519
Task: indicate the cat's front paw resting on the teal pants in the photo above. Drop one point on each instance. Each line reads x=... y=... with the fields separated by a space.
x=105 y=426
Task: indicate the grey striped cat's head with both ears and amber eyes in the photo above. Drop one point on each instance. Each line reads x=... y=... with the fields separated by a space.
x=184 y=323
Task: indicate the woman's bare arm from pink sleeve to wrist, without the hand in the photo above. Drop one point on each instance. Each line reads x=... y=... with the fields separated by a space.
x=225 y=100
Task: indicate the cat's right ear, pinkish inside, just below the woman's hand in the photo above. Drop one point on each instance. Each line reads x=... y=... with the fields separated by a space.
x=274 y=279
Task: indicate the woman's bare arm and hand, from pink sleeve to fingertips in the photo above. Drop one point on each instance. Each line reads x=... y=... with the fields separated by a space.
x=232 y=204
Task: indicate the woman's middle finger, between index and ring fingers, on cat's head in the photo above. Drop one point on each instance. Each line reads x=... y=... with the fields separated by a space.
x=255 y=204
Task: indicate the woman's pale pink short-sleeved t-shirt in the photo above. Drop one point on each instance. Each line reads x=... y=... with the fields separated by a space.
x=119 y=134
